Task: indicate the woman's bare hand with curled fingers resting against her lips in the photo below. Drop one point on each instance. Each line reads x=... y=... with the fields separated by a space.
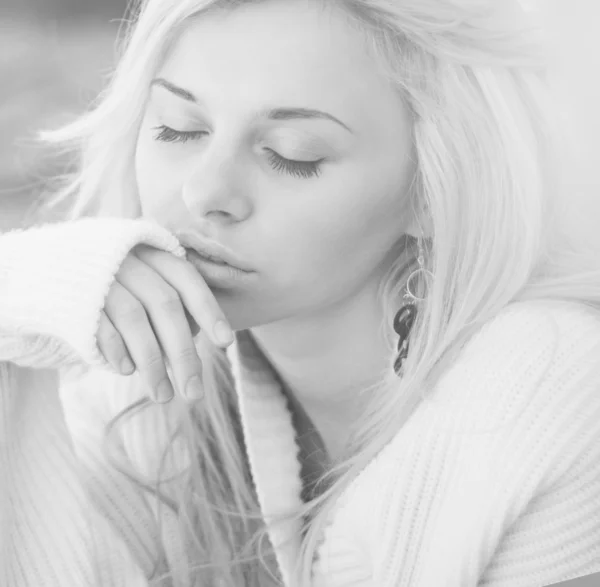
x=156 y=304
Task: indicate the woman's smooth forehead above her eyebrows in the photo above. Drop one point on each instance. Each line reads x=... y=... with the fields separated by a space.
x=286 y=53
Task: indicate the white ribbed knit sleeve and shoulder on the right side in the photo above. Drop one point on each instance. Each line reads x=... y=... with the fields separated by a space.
x=498 y=480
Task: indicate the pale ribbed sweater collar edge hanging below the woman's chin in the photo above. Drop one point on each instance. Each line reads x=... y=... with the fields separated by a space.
x=271 y=447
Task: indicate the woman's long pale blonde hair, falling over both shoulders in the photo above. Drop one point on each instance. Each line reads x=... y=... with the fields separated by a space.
x=489 y=183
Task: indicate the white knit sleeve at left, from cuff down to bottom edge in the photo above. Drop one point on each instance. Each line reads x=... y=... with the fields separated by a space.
x=53 y=281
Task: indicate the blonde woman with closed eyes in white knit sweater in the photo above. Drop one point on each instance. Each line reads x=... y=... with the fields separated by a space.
x=413 y=390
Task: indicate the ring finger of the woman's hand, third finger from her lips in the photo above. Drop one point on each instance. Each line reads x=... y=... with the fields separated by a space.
x=129 y=317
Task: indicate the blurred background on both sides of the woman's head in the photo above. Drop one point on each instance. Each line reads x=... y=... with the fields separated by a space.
x=57 y=54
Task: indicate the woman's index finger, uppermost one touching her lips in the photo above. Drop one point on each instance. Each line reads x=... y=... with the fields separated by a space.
x=193 y=291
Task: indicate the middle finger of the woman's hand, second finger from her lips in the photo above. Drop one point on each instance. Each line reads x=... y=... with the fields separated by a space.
x=168 y=321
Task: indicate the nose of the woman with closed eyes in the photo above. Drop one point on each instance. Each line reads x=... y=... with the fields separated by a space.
x=214 y=190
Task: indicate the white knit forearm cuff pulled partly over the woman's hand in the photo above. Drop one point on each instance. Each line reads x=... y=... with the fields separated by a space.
x=54 y=278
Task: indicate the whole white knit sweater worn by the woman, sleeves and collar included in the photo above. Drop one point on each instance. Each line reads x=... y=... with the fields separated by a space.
x=495 y=483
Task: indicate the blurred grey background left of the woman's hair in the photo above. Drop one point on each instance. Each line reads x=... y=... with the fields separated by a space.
x=55 y=57
